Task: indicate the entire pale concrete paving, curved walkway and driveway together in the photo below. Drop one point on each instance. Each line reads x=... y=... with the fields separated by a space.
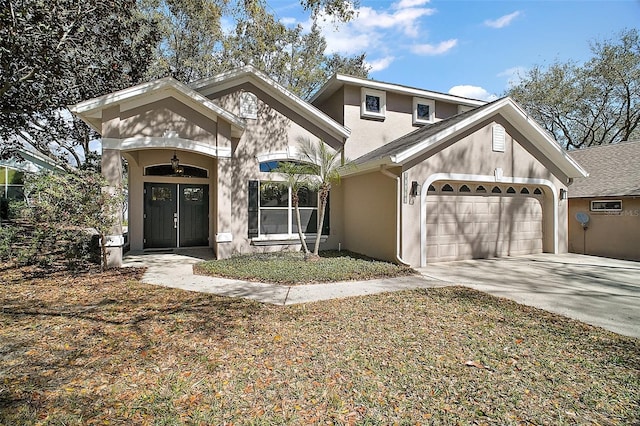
x=598 y=291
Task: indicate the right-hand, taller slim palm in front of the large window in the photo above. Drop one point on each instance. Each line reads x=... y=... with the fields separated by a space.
x=324 y=164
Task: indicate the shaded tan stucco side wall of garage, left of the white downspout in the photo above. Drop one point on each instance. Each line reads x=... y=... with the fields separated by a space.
x=369 y=215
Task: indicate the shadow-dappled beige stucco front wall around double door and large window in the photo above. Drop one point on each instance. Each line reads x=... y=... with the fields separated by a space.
x=270 y=133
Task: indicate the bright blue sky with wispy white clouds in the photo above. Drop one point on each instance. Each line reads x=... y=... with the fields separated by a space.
x=468 y=48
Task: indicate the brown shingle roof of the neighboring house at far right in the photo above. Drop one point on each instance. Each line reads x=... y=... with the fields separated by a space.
x=614 y=170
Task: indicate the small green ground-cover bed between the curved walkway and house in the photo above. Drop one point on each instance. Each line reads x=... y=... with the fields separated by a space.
x=291 y=268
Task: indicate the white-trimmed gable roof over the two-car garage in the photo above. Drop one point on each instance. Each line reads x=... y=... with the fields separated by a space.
x=414 y=144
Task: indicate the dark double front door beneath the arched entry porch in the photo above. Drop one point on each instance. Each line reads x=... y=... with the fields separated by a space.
x=176 y=215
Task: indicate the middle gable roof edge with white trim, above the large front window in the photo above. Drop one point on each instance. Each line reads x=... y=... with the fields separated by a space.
x=249 y=75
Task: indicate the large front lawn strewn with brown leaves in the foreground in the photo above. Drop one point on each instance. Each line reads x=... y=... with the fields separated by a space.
x=107 y=349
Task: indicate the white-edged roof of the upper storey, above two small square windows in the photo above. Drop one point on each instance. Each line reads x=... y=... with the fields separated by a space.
x=339 y=80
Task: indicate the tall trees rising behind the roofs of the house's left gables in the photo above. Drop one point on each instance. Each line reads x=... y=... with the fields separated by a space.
x=194 y=45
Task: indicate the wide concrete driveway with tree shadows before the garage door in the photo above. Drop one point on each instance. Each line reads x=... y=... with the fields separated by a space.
x=595 y=290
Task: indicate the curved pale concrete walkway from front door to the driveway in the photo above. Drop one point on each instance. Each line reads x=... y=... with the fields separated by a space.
x=176 y=270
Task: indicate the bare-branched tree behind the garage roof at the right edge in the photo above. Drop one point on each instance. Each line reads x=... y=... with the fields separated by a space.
x=595 y=103
